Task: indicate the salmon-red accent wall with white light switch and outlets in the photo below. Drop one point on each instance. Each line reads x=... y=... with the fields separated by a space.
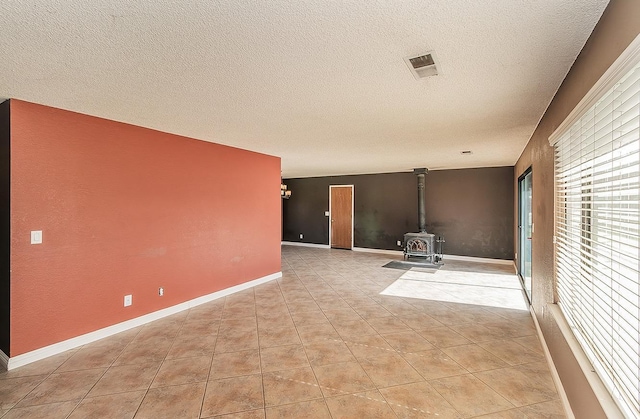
x=126 y=210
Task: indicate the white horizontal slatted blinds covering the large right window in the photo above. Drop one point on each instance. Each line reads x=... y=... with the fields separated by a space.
x=598 y=236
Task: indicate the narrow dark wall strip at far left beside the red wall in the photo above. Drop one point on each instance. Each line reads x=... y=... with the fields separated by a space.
x=5 y=232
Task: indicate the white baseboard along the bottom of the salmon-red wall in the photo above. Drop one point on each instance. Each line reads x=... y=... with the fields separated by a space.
x=56 y=348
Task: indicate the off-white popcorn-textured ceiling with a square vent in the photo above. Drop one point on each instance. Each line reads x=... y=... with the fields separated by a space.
x=321 y=84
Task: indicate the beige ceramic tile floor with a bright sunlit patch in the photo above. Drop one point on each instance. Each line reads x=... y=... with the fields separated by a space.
x=338 y=336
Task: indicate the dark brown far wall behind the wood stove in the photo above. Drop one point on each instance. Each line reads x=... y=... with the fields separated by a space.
x=471 y=208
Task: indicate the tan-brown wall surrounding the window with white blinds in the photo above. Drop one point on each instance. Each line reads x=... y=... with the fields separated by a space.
x=619 y=25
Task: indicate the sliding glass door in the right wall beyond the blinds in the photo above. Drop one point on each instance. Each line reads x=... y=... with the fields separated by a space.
x=525 y=230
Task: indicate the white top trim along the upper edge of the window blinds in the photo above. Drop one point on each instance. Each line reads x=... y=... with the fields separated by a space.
x=625 y=62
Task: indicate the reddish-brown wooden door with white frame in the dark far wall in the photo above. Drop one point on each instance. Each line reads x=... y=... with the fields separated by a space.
x=341 y=216
